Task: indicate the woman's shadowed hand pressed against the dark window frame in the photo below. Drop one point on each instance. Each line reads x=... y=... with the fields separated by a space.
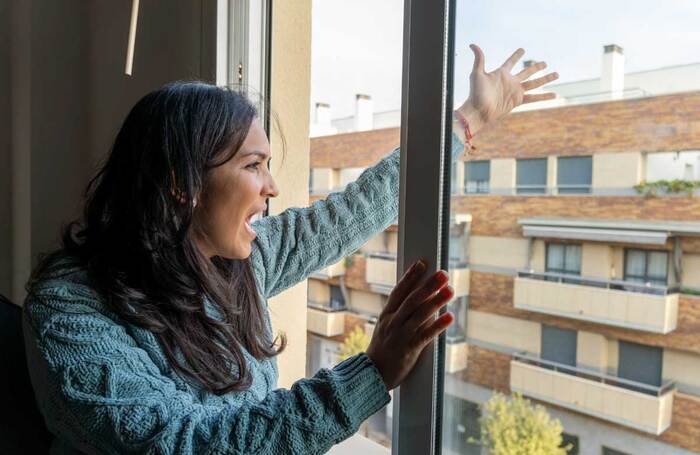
x=406 y=324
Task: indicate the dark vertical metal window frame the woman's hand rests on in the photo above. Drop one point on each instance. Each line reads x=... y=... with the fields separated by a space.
x=428 y=46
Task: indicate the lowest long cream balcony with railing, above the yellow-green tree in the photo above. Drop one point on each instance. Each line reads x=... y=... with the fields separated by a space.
x=633 y=404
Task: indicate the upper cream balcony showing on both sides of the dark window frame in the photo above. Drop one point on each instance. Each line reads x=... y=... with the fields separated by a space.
x=380 y=274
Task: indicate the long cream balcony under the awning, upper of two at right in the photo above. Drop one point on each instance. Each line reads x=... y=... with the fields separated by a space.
x=618 y=303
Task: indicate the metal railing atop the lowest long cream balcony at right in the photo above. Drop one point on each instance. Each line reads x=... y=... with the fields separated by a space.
x=590 y=375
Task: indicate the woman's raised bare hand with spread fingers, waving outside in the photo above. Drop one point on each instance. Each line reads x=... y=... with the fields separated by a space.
x=494 y=94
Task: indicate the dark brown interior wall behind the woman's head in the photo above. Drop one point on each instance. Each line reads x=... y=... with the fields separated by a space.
x=63 y=65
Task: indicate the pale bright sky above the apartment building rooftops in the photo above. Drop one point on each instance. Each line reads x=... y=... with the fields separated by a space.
x=357 y=45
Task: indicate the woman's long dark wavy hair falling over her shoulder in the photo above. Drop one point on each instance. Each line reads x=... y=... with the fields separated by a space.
x=136 y=235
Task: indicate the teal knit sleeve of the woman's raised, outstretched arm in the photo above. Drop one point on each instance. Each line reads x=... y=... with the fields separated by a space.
x=299 y=241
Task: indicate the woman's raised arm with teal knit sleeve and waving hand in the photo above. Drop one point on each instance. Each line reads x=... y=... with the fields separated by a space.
x=291 y=246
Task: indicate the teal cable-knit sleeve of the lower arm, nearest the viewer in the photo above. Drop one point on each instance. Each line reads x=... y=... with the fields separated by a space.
x=104 y=394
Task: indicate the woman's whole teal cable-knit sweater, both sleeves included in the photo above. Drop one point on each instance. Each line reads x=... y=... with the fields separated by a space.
x=105 y=386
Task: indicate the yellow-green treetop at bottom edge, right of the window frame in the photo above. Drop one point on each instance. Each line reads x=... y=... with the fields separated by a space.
x=514 y=426
